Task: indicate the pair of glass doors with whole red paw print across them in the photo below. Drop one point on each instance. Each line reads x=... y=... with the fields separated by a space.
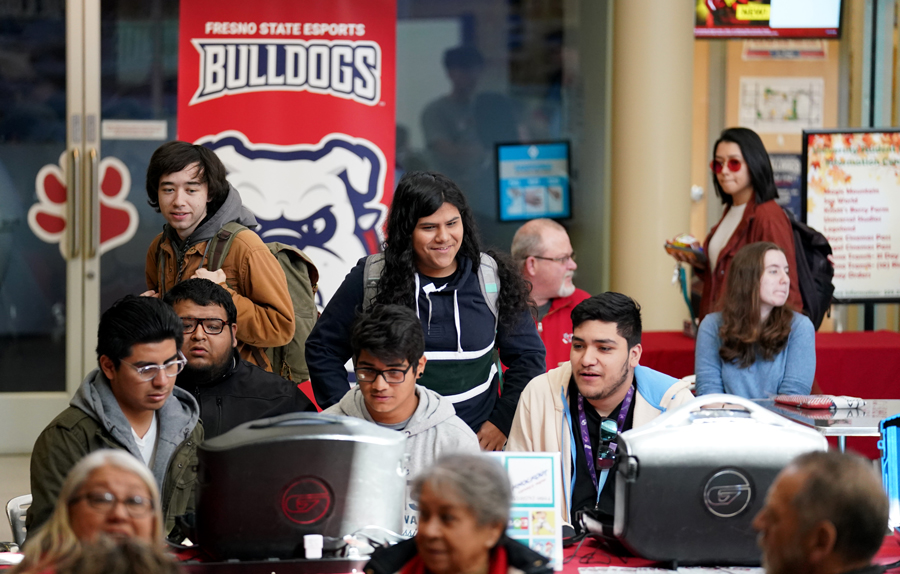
x=74 y=223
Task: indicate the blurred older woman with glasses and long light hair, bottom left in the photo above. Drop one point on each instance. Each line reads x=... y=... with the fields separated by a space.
x=109 y=493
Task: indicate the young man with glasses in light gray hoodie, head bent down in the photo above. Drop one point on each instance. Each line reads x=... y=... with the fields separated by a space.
x=389 y=355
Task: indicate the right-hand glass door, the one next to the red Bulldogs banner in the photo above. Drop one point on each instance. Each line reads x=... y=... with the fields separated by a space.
x=138 y=84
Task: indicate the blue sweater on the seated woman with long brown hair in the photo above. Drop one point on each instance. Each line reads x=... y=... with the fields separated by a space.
x=790 y=372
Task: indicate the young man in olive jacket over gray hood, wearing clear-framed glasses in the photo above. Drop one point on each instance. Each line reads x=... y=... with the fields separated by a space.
x=131 y=403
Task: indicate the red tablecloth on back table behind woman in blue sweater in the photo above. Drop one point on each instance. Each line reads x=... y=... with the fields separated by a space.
x=862 y=364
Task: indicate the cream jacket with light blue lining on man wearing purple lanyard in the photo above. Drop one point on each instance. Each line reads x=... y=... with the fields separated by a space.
x=539 y=421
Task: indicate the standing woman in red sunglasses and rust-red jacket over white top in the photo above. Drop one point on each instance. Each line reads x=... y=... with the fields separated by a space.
x=742 y=175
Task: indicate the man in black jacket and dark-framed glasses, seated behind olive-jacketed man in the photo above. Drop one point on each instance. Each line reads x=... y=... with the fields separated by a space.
x=230 y=390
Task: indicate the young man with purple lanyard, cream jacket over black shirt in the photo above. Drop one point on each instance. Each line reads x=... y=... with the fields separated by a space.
x=601 y=391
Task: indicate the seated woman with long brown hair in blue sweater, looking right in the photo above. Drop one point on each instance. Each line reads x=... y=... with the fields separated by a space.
x=758 y=346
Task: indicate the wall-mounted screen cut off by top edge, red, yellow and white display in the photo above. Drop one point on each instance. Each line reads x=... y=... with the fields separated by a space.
x=768 y=19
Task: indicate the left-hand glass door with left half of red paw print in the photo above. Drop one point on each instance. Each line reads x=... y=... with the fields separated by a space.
x=44 y=291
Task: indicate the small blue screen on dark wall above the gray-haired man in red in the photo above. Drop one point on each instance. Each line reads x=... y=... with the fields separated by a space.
x=533 y=181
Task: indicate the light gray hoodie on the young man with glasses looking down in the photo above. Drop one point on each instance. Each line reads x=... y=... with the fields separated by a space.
x=433 y=430
